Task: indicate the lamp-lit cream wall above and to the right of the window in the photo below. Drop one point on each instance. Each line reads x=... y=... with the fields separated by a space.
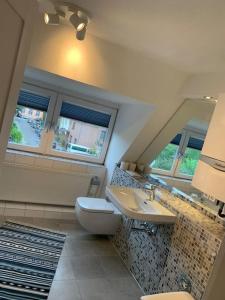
x=114 y=69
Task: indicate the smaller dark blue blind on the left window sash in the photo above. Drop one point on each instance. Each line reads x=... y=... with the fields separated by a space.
x=32 y=100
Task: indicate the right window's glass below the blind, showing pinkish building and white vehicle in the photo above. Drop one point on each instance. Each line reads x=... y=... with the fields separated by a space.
x=78 y=137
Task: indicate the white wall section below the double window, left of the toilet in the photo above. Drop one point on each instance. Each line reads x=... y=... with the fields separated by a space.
x=45 y=180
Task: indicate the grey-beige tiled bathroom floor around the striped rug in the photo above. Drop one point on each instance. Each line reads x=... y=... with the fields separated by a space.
x=89 y=268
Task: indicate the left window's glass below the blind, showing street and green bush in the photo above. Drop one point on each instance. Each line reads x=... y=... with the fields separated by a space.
x=27 y=127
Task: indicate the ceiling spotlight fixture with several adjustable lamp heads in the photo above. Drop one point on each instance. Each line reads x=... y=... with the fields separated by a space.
x=76 y=15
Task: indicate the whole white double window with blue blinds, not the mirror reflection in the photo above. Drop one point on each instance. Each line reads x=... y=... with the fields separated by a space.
x=61 y=126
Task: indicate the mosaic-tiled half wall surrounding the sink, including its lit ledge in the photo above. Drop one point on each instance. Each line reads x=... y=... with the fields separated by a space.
x=187 y=248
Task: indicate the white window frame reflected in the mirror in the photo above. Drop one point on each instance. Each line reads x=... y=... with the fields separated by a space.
x=174 y=172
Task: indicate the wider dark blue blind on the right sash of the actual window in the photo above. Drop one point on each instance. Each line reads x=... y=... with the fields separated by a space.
x=84 y=114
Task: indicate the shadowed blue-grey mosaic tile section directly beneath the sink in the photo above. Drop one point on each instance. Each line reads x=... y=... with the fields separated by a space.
x=144 y=255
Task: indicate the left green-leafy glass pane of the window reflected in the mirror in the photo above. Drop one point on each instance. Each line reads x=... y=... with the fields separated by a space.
x=166 y=158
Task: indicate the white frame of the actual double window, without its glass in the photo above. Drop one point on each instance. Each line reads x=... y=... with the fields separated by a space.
x=52 y=115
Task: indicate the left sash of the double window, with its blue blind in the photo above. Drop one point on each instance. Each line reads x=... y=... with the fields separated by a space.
x=34 y=107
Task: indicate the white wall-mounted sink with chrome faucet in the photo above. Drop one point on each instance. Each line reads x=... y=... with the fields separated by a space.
x=135 y=204
